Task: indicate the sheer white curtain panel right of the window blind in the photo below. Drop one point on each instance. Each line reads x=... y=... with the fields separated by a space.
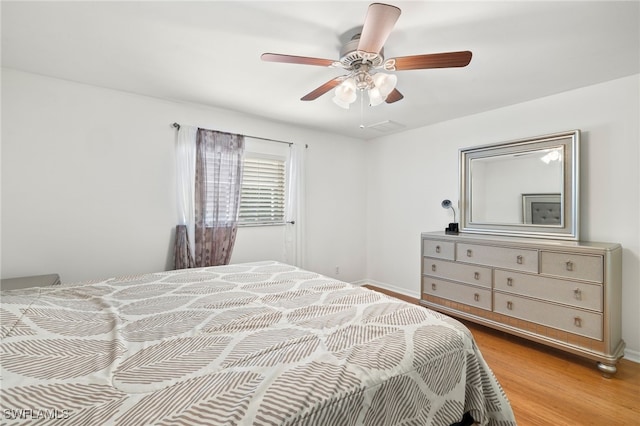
x=294 y=233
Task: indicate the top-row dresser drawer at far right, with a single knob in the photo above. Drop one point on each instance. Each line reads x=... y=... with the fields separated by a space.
x=578 y=266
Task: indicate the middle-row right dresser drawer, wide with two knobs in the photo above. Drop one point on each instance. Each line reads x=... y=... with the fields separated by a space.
x=581 y=295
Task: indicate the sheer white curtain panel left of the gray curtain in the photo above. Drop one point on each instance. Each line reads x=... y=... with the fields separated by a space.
x=185 y=185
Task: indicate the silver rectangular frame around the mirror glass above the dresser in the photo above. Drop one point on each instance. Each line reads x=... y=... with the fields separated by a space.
x=569 y=226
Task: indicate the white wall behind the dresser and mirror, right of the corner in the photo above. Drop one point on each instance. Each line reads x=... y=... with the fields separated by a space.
x=411 y=173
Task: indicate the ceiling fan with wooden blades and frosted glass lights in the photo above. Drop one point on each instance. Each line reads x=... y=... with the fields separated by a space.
x=363 y=58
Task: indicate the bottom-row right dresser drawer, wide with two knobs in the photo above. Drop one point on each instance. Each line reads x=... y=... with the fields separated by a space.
x=572 y=320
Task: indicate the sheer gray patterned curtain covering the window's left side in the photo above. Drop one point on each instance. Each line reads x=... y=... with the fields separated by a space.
x=218 y=182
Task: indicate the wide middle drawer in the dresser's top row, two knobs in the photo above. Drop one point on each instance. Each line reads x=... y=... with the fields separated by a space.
x=503 y=257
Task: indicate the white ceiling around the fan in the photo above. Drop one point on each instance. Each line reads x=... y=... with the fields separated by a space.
x=208 y=52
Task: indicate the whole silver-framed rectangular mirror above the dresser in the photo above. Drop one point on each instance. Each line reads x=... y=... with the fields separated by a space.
x=525 y=188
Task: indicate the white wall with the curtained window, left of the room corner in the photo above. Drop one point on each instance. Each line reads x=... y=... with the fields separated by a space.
x=88 y=183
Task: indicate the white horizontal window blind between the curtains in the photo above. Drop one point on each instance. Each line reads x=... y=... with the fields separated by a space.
x=262 y=200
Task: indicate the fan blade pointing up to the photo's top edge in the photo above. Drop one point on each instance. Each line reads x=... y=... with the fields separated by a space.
x=378 y=24
